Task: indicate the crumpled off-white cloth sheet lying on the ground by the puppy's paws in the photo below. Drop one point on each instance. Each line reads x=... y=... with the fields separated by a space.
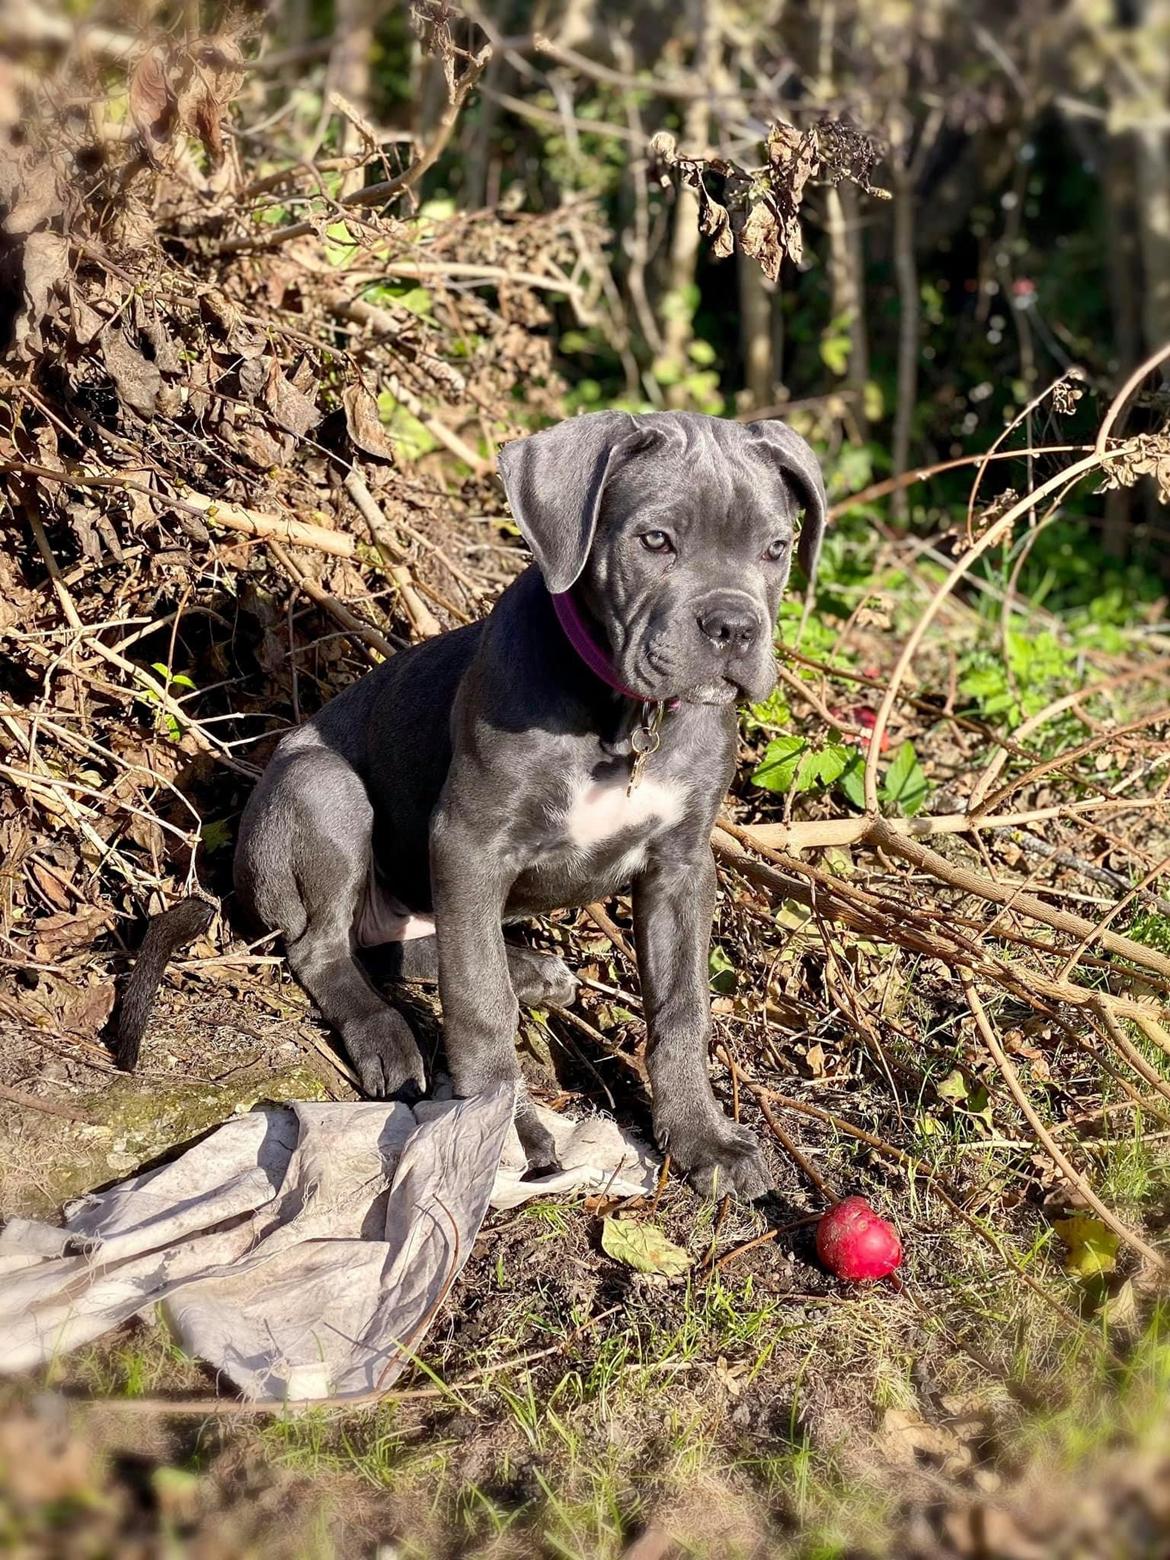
x=300 y=1250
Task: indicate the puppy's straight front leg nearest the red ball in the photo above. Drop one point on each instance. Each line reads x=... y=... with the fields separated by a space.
x=673 y=909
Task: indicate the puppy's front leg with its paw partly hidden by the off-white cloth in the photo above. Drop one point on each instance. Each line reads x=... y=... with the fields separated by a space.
x=470 y=885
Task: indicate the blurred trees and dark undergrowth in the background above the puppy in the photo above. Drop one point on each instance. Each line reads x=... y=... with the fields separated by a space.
x=1024 y=152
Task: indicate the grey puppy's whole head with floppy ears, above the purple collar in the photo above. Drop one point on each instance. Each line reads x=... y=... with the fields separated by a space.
x=676 y=533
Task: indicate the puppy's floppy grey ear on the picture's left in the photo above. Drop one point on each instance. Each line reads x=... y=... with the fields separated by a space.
x=555 y=481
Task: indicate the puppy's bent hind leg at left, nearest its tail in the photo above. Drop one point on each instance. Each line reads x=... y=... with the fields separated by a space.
x=302 y=865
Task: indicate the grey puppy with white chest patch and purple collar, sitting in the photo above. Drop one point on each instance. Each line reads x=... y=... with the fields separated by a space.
x=484 y=776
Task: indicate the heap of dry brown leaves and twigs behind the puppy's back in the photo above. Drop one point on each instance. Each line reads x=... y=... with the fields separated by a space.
x=183 y=377
